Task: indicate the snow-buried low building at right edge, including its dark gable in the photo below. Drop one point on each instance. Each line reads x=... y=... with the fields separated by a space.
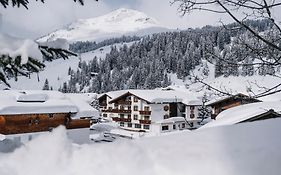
x=247 y=113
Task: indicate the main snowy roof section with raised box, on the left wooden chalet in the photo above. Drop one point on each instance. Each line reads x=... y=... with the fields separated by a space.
x=31 y=102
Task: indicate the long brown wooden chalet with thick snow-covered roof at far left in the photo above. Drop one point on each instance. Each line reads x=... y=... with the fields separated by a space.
x=23 y=113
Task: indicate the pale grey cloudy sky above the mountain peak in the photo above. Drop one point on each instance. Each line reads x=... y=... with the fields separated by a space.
x=54 y=14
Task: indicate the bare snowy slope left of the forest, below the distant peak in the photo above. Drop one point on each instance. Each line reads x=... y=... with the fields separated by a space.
x=57 y=71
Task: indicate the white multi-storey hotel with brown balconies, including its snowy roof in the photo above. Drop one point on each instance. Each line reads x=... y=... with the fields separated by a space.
x=137 y=110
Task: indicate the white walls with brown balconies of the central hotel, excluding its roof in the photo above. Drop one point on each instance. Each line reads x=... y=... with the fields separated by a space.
x=158 y=112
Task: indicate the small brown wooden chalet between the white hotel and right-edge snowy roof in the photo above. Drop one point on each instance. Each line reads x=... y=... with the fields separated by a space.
x=219 y=105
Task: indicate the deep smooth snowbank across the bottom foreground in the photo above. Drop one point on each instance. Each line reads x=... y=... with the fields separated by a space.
x=251 y=148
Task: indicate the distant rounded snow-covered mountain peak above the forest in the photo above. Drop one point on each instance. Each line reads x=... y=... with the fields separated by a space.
x=117 y=23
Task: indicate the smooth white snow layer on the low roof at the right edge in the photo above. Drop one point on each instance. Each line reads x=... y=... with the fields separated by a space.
x=241 y=113
